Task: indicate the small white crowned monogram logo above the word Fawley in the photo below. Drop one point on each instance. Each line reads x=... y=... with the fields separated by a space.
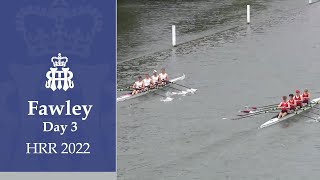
x=58 y=74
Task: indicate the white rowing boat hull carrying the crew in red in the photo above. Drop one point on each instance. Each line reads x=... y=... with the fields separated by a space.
x=277 y=120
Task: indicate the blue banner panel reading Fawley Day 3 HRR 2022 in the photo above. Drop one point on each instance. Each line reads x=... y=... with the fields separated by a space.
x=58 y=86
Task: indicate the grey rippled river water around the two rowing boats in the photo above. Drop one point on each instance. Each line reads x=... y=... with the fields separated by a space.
x=231 y=64
